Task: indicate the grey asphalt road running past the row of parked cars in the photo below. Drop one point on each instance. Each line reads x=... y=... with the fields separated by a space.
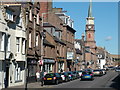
x=106 y=81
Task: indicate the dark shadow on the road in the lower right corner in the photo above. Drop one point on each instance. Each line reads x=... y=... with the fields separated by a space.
x=116 y=83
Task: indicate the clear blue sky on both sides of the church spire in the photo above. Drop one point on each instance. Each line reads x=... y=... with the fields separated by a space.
x=106 y=21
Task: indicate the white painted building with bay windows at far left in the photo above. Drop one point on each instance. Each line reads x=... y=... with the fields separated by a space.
x=12 y=46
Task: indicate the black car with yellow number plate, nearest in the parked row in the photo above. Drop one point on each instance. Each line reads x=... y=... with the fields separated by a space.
x=52 y=78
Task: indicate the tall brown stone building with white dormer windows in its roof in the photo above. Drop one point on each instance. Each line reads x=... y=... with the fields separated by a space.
x=64 y=35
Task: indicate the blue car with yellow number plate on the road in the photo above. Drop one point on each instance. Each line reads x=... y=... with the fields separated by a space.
x=87 y=75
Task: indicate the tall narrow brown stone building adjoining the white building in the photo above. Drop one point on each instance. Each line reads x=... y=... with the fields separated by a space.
x=34 y=39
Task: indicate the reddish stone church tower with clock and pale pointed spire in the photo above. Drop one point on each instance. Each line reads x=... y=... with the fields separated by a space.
x=90 y=42
